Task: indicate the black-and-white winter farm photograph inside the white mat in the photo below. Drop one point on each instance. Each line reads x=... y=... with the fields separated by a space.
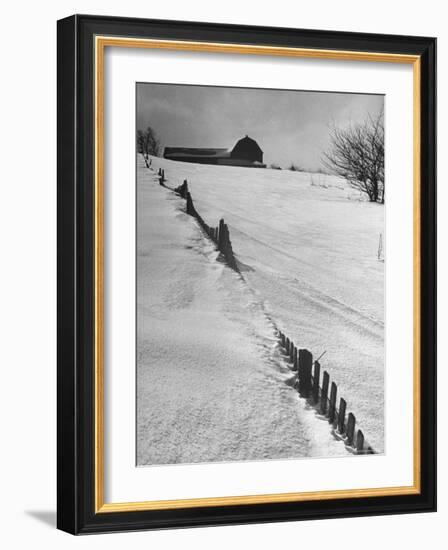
x=260 y=274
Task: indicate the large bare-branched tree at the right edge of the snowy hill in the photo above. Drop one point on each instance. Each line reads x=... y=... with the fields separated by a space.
x=357 y=154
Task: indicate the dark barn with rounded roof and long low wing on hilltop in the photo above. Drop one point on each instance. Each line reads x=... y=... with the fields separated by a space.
x=246 y=152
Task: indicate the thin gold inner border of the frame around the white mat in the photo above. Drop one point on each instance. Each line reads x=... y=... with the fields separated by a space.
x=101 y=42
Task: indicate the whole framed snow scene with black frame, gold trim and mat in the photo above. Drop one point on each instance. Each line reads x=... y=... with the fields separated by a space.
x=246 y=274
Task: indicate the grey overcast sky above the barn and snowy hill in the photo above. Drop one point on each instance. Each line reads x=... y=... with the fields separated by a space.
x=289 y=126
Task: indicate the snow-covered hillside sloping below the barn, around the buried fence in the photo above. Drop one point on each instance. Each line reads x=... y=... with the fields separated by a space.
x=307 y=248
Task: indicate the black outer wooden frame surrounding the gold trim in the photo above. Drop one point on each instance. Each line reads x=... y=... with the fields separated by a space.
x=76 y=271
